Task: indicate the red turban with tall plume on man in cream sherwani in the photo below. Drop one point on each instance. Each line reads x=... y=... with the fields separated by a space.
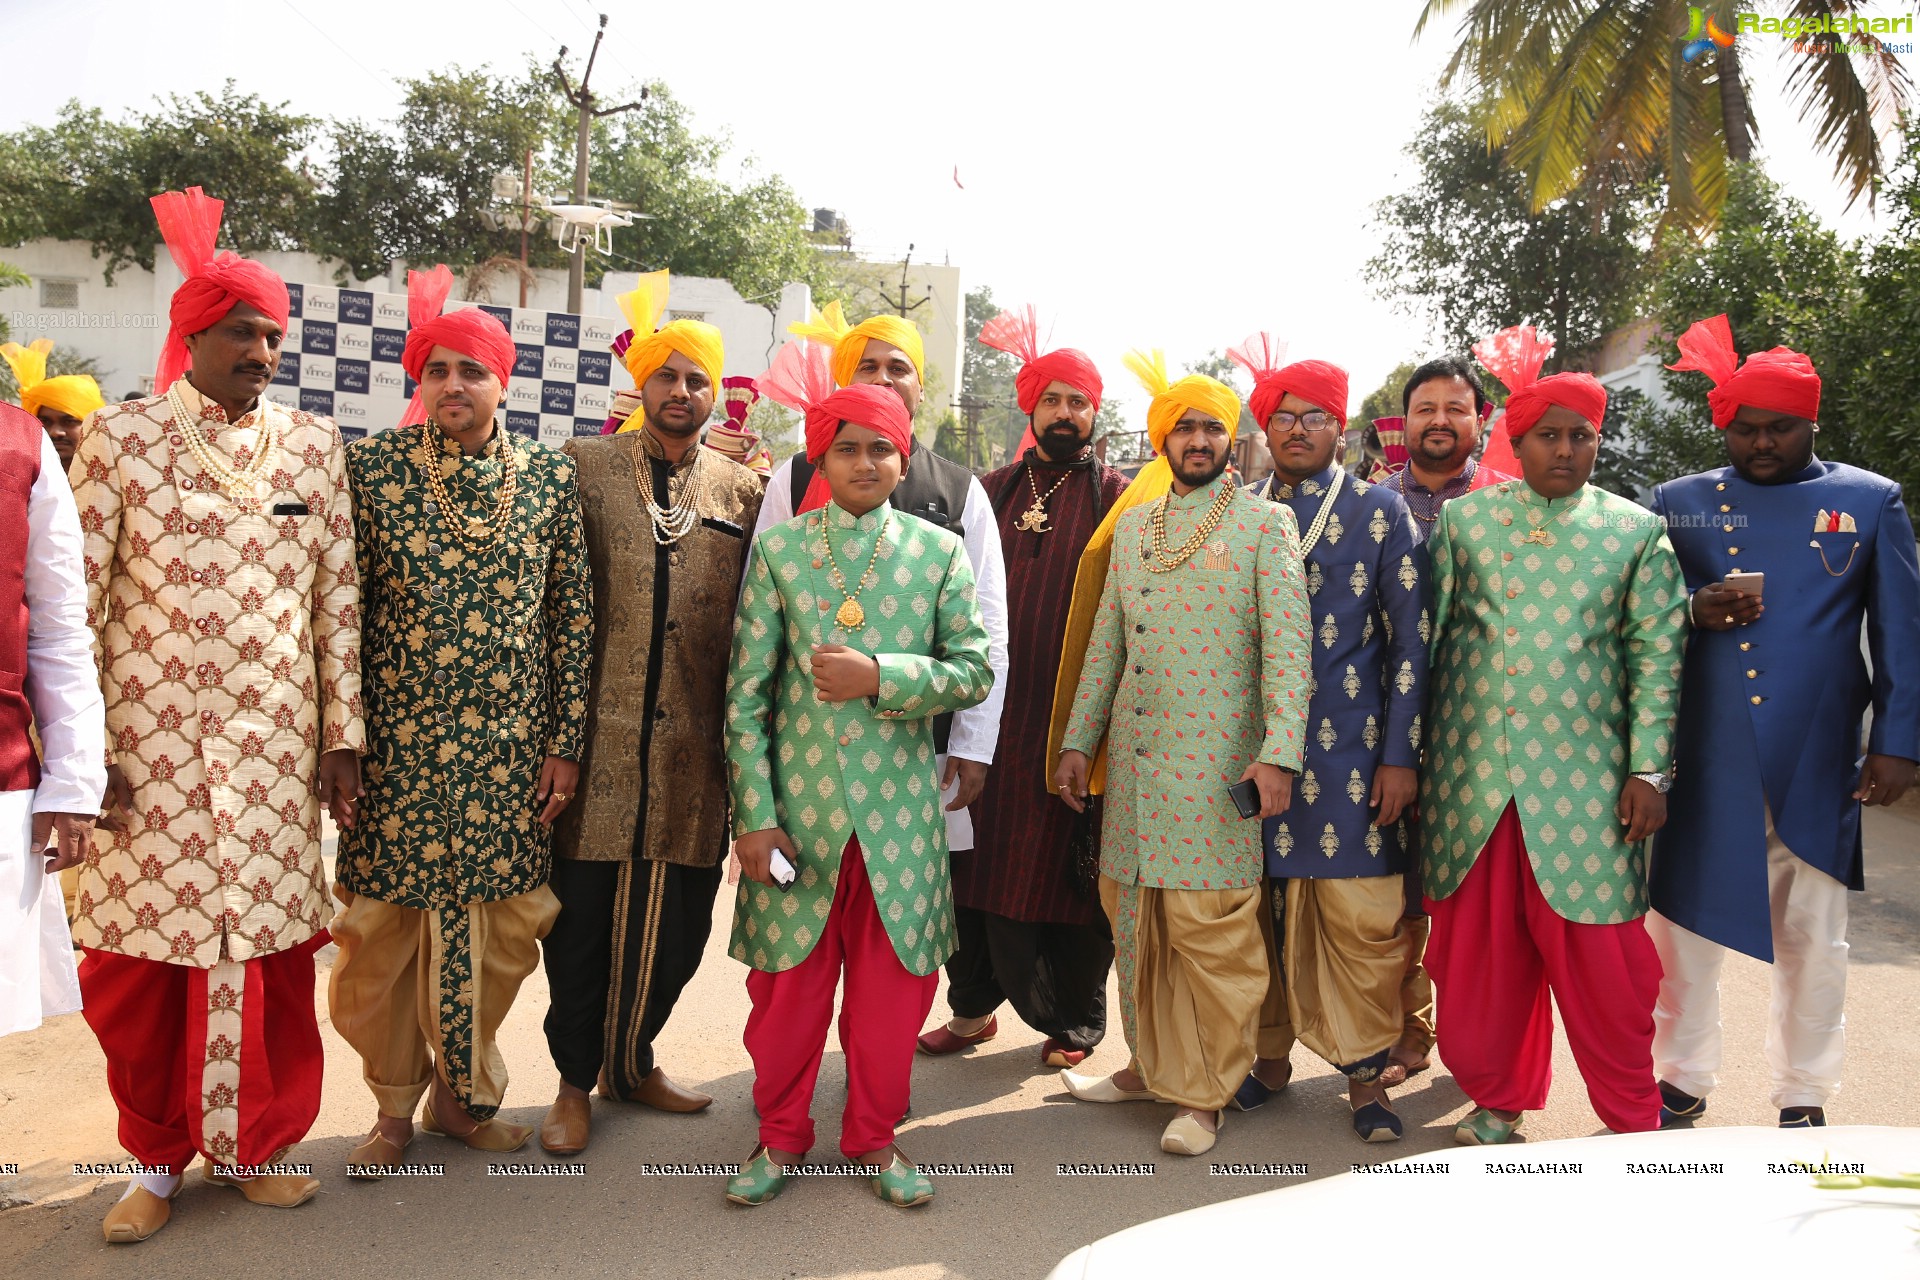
x=216 y=283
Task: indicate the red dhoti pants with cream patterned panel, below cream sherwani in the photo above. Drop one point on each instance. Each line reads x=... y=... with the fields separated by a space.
x=226 y=1062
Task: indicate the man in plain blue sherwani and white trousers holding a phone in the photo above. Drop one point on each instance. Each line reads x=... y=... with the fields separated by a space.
x=1764 y=838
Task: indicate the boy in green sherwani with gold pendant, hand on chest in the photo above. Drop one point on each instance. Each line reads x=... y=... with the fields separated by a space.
x=857 y=627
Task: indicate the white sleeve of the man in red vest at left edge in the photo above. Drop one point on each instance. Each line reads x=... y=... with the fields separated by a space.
x=62 y=680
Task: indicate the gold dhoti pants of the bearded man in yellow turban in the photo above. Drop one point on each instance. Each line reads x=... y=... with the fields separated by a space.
x=1191 y=982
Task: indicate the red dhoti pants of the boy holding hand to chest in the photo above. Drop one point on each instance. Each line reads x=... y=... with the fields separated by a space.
x=882 y=1012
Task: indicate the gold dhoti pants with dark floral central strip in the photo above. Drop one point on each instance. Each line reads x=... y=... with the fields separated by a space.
x=418 y=987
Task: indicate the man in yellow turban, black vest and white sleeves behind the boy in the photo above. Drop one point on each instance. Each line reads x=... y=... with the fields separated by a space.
x=886 y=352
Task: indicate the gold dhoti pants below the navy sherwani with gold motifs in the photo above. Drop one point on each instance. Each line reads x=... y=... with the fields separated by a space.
x=1335 y=980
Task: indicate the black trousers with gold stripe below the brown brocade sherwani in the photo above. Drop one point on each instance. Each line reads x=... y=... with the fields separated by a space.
x=627 y=943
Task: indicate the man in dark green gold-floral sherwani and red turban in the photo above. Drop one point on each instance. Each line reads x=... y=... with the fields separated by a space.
x=477 y=630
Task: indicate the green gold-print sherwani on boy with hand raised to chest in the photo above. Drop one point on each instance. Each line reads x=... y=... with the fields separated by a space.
x=827 y=772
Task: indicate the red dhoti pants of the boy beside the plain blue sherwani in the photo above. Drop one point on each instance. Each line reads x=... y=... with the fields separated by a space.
x=1499 y=949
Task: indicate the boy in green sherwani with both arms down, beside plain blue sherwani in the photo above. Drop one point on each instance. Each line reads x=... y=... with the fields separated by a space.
x=1560 y=621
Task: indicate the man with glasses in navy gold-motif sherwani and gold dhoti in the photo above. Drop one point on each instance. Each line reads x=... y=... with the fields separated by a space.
x=1335 y=861
